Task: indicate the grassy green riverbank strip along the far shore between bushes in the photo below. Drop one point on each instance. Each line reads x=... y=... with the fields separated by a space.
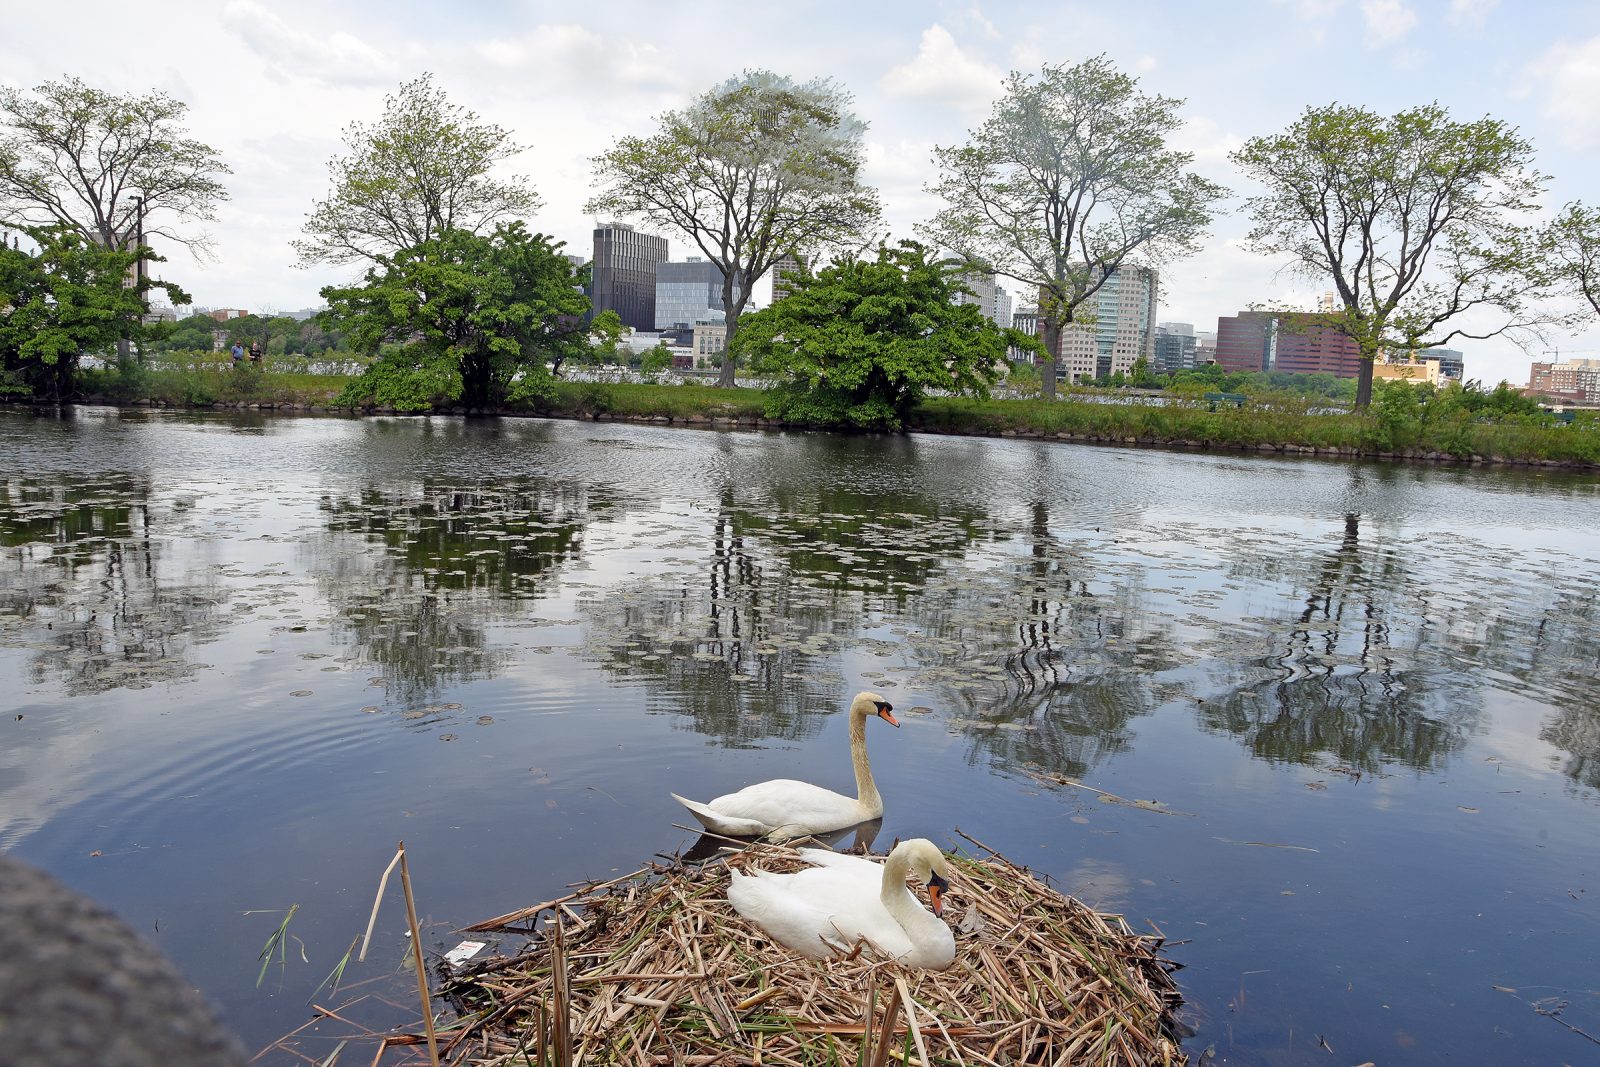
x=1268 y=426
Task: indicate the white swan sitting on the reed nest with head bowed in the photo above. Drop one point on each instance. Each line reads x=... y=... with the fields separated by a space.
x=826 y=909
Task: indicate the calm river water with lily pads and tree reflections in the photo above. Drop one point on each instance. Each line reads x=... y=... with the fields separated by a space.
x=1348 y=716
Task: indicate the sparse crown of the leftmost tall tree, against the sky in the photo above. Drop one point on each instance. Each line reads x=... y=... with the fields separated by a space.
x=78 y=158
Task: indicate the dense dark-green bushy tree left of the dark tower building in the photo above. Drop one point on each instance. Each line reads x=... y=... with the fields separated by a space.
x=463 y=318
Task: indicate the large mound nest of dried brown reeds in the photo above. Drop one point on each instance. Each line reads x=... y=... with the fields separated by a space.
x=658 y=969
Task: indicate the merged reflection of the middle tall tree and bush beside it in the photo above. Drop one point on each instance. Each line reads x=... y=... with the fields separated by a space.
x=746 y=644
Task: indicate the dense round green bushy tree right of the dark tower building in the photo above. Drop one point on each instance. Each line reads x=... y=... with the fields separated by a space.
x=865 y=340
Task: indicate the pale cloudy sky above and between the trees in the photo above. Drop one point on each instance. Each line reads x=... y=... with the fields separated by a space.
x=273 y=84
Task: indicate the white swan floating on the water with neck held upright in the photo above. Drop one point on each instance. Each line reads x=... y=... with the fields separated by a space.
x=788 y=809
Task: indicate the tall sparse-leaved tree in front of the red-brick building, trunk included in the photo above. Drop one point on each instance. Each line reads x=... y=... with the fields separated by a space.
x=1414 y=218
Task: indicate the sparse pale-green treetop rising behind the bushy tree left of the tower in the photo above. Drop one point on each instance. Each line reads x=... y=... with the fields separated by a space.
x=422 y=170
